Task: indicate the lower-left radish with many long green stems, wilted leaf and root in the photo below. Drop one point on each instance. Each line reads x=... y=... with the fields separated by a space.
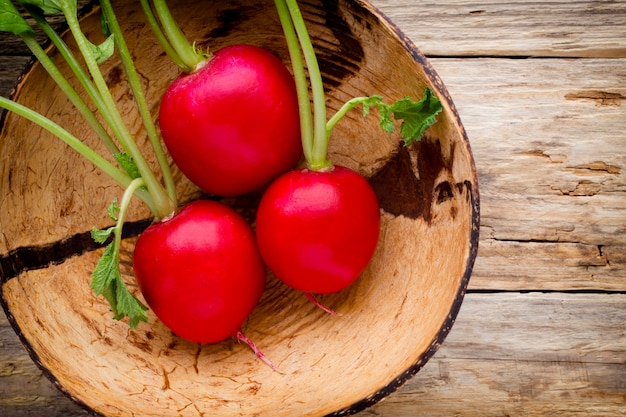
x=197 y=267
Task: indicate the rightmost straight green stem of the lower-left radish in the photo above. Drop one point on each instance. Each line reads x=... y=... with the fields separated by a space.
x=140 y=99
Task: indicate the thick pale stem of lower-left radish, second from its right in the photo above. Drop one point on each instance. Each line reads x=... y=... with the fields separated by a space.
x=162 y=203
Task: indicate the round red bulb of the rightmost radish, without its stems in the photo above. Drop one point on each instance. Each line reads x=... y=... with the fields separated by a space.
x=317 y=231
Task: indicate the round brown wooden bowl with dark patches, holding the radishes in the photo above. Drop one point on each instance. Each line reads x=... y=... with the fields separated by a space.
x=390 y=322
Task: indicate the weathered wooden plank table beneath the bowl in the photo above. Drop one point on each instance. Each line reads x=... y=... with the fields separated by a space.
x=541 y=89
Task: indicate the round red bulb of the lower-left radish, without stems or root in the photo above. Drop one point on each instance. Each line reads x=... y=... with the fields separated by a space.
x=200 y=271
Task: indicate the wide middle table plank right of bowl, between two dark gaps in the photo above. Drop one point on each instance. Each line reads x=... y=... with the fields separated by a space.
x=548 y=140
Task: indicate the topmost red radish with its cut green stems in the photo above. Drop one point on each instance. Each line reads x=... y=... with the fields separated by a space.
x=230 y=120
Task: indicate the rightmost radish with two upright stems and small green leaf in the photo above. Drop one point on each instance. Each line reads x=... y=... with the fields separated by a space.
x=317 y=227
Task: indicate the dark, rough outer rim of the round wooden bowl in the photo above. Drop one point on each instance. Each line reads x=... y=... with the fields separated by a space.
x=449 y=321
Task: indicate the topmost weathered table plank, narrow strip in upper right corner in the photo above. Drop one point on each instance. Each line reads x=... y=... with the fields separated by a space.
x=520 y=28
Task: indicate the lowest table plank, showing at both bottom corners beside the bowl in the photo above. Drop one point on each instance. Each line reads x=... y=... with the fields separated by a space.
x=507 y=354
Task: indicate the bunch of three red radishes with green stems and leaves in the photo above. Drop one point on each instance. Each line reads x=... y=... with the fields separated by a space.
x=235 y=121
